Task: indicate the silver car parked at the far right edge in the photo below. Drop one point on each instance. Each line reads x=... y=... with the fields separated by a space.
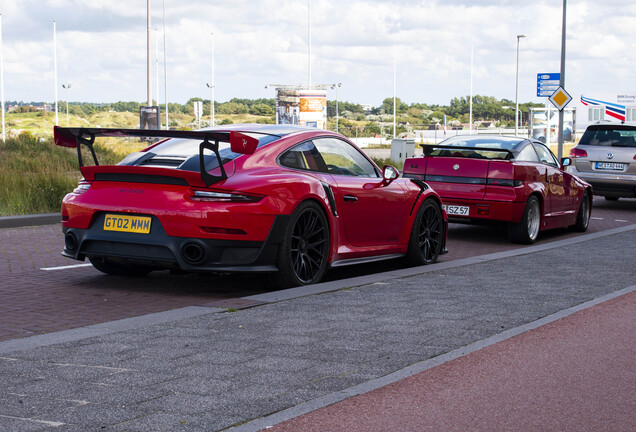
x=605 y=157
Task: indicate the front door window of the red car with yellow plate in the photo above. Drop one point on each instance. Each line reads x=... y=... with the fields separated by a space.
x=342 y=158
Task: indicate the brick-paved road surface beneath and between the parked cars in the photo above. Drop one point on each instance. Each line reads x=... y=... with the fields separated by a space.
x=43 y=292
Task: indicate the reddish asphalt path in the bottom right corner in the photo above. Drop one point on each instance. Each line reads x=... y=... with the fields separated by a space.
x=574 y=374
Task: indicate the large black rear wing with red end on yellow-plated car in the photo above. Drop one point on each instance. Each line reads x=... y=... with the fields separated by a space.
x=239 y=142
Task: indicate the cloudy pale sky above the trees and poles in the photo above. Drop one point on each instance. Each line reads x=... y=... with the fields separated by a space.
x=101 y=48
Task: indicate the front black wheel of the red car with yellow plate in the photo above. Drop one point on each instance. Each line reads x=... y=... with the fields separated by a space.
x=427 y=234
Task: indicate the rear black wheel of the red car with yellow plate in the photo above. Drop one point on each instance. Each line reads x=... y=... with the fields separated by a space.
x=303 y=255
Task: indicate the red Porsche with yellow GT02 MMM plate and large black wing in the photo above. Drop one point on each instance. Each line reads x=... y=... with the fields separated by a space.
x=283 y=200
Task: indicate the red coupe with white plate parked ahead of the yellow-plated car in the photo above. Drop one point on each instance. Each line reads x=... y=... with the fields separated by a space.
x=503 y=179
